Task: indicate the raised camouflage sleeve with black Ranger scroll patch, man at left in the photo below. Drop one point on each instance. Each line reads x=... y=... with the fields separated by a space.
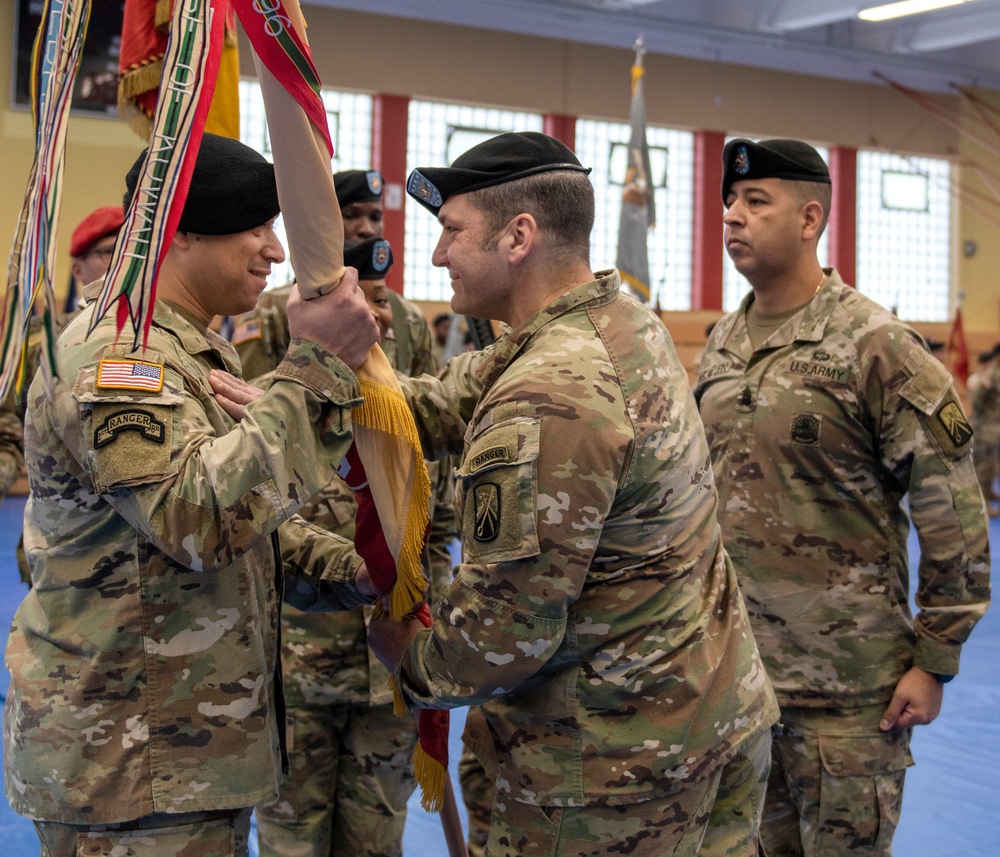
x=201 y=489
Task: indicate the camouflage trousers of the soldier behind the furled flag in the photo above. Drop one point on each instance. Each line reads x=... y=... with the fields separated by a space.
x=351 y=776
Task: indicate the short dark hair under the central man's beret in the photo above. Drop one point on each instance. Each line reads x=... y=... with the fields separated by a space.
x=561 y=201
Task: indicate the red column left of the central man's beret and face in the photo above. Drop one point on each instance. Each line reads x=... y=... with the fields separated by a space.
x=390 y=116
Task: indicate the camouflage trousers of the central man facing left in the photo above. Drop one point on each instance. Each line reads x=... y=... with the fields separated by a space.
x=715 y=817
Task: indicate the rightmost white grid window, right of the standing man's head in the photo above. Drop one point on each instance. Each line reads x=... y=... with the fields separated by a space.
x=904 y=234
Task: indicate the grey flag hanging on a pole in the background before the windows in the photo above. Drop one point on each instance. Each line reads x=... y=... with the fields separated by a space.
x=638 y=208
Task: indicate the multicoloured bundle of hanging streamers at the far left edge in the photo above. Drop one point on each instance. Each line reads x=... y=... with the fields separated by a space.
x=54 y=64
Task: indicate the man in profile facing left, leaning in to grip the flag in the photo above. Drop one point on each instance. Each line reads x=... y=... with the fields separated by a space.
x=595 y=616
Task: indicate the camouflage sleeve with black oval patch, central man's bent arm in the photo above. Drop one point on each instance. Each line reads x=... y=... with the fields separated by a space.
x=531 y=525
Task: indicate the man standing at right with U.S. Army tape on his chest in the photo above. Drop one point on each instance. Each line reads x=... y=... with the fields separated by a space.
x=823 y=412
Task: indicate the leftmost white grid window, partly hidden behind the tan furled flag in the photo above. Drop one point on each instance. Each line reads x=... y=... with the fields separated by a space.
x=349 y=117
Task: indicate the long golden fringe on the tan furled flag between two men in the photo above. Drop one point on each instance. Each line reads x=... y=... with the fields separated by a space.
x=385 y=410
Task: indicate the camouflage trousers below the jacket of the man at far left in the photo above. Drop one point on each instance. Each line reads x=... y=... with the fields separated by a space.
x=225 y=833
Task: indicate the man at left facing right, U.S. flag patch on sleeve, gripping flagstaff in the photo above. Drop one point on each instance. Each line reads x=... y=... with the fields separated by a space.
x=144 y=713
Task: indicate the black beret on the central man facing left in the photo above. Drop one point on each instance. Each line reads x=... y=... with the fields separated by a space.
x=495 y=161
